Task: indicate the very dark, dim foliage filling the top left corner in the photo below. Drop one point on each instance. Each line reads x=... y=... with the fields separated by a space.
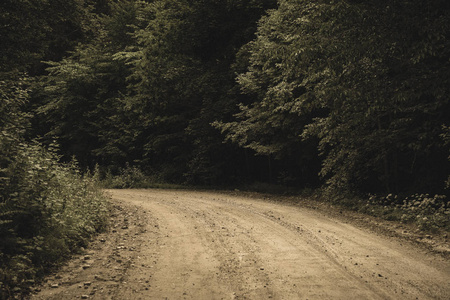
x=32 y=31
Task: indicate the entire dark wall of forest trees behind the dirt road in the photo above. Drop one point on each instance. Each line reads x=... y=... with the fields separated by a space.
x=352 y=95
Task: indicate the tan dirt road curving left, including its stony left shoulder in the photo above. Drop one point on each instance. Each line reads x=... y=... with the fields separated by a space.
x=205 y=245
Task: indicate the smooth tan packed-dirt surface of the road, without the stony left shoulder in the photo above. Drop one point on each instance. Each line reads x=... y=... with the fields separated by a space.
x=215 y=246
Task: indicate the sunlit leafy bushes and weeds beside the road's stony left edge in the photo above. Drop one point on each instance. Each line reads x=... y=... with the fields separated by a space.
x=48 y=211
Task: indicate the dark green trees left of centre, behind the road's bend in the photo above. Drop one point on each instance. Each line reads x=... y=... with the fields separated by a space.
x=176 y=57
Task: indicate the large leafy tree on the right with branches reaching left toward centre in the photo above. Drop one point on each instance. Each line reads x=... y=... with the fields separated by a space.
x=364 y=78
